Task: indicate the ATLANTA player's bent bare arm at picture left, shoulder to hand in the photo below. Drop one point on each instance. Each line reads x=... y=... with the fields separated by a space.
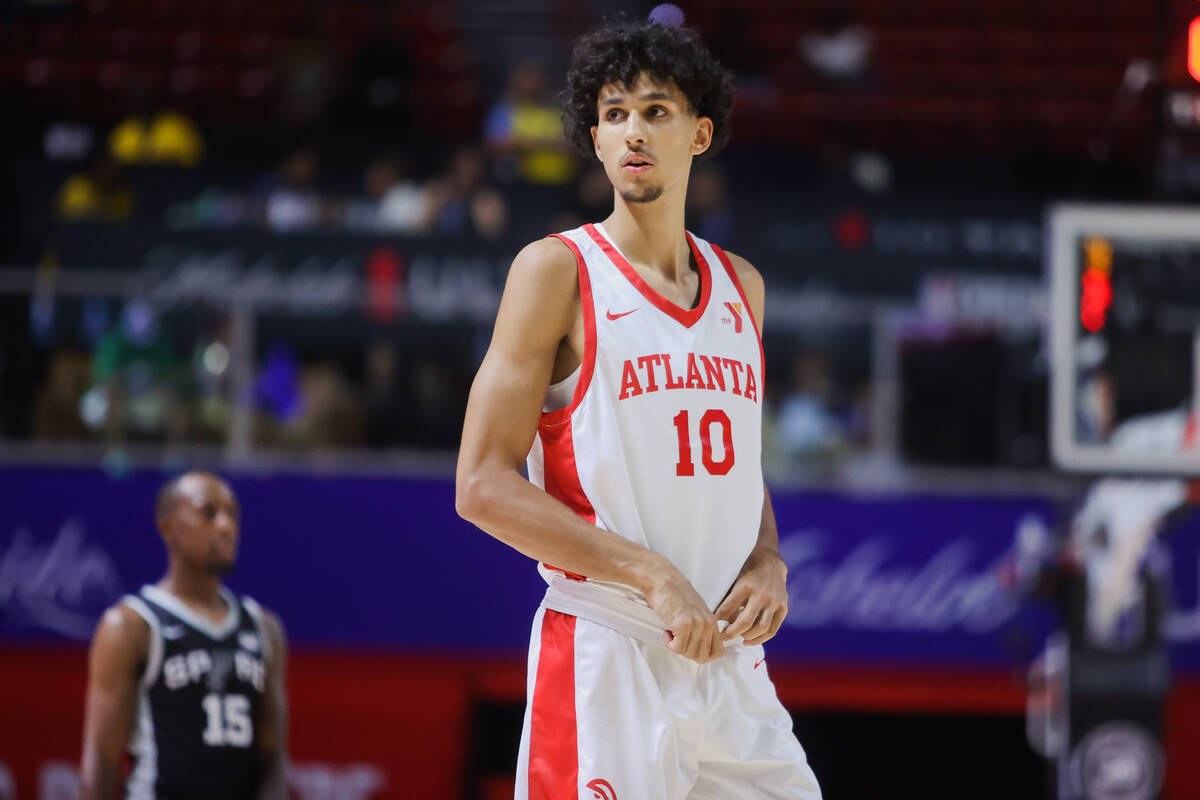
x=539 y=314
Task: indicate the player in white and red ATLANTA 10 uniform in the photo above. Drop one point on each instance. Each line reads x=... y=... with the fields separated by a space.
x=627 y=369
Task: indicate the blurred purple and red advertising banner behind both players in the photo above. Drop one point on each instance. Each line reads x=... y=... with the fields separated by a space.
x=404 y=619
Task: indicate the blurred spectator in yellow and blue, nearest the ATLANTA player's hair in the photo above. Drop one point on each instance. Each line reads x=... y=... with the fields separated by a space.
x=525 y=131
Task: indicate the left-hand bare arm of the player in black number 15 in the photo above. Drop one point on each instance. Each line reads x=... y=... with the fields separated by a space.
x=118 y=655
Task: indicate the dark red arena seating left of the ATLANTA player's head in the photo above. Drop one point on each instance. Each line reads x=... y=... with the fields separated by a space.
x=219 y=61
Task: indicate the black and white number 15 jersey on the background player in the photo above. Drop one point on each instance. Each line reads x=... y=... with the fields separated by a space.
x=200 y=702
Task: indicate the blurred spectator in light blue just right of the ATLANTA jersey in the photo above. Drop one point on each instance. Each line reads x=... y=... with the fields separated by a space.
x=808 y=426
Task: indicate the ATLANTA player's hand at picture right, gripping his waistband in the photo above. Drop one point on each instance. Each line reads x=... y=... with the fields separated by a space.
x=757 y=605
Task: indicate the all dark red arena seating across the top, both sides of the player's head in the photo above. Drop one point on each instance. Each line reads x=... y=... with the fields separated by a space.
x=1015 y=75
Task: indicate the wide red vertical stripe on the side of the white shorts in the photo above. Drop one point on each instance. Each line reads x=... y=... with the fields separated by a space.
x=554 y=754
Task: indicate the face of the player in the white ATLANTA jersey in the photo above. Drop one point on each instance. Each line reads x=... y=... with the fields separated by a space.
x=647 y=136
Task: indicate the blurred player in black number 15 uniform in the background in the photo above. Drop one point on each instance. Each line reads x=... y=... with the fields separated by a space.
x=184 y=677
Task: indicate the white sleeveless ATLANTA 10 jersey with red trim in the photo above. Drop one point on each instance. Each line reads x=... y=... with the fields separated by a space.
x=662 y=440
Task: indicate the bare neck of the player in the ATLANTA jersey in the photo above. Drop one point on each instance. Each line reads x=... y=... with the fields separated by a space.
x=652 y=234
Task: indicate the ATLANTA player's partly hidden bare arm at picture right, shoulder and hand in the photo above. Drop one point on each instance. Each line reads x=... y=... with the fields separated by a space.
x=757 y=605
